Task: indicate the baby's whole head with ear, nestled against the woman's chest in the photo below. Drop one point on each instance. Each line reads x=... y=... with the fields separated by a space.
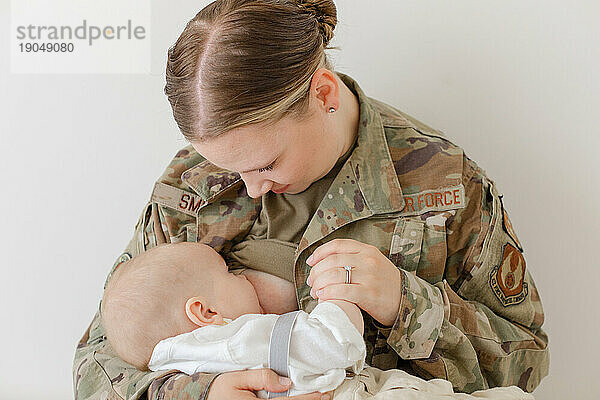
x=169 y=290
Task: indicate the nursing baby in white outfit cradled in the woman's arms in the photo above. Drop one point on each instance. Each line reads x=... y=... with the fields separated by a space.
x=177 y=306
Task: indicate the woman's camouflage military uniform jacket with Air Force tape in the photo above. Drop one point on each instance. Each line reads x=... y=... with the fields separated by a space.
x=470 y=311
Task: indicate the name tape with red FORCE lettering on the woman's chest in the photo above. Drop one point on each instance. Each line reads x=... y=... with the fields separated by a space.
x=443 y=199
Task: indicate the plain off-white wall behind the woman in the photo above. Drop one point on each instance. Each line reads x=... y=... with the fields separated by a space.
x=513 y=82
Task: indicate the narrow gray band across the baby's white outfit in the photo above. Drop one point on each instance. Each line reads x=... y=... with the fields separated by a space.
x=279 y=347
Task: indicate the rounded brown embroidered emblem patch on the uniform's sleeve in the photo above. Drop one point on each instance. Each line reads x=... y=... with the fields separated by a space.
x=507 y=278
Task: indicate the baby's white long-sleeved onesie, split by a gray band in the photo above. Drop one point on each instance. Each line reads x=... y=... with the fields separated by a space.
x=323 y=344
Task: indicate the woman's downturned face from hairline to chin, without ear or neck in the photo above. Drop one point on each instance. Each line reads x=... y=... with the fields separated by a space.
x=286 y=157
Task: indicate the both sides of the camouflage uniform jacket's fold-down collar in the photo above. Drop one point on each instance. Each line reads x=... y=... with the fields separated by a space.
x=369 y=171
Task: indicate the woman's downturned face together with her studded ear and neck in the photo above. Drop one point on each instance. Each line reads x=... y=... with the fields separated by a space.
x=290 y=155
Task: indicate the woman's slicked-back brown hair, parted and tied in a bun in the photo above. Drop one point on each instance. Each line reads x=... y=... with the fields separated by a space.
x=239 y=62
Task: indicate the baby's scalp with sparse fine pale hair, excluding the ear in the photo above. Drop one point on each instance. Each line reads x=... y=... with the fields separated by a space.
x=144 y=302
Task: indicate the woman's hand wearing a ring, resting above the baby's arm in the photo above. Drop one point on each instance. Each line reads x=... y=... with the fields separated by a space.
x=375 y=281
